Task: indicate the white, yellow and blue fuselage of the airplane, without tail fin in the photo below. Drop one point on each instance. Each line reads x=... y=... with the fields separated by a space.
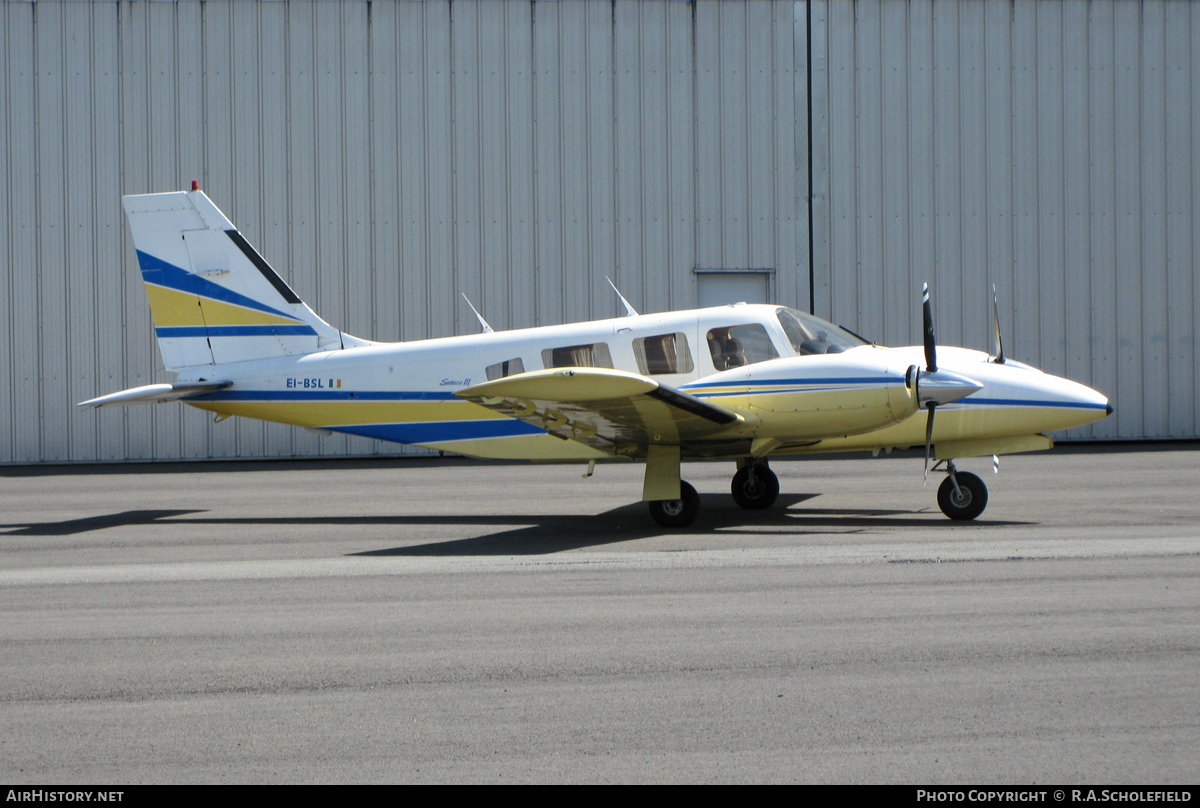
x=855 y=398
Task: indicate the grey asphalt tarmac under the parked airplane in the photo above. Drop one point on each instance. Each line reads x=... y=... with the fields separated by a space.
x=453 y=621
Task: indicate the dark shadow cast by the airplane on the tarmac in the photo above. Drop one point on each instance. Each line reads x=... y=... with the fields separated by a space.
x=538 y=534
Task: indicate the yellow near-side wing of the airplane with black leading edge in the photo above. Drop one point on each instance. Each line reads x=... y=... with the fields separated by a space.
x=613 y=411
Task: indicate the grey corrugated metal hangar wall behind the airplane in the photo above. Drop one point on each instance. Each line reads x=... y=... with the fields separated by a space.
x=387 y=157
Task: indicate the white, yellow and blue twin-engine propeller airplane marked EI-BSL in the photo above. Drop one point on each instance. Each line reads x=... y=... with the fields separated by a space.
x=745 y=382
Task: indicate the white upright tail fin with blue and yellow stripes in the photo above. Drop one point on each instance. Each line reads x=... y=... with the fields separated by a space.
x=214 y=300
